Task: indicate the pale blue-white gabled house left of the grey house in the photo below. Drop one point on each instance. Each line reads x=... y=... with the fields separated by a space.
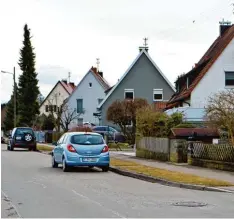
x=88 y=94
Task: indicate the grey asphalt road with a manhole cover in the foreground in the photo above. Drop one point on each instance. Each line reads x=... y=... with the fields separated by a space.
x=34 y=189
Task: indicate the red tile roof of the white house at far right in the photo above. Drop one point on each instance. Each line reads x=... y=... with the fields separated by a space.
x=203 y=66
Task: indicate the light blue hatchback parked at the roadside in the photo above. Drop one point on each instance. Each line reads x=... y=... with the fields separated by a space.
x=81 y=149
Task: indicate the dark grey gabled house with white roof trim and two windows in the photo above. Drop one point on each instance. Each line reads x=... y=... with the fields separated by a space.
x=143 y=79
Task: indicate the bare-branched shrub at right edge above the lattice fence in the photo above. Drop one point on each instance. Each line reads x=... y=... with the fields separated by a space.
x=220 y=112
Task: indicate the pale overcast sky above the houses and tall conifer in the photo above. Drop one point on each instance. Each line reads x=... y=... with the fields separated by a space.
x=68 y=35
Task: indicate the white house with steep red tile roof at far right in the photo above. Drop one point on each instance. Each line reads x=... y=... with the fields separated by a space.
x=213 y=73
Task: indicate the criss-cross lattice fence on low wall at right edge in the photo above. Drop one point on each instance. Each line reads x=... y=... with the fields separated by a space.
x=215 y=152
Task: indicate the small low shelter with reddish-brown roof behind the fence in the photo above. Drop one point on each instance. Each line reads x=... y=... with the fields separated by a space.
x=205 y=135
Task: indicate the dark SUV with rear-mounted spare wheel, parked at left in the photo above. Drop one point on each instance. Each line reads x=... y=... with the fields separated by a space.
x=22 y=137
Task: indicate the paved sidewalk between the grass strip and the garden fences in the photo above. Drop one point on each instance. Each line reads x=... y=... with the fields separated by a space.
x=198 y=171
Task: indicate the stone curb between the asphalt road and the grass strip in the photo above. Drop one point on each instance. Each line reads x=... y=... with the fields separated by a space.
x=166 y=182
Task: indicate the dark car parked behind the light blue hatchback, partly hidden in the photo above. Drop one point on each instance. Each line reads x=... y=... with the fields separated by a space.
x=112 y=133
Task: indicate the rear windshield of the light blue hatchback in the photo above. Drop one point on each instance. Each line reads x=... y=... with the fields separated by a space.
x=87 y=139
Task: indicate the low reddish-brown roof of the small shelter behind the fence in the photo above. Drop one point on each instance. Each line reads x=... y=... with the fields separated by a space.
x=183 y=132
